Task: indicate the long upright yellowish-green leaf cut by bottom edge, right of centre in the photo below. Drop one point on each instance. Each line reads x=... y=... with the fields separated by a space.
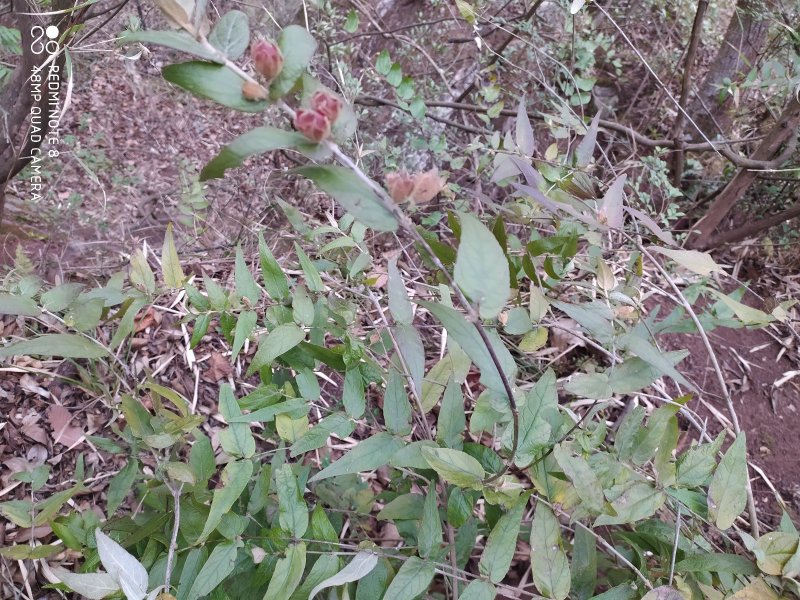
x=549 y=565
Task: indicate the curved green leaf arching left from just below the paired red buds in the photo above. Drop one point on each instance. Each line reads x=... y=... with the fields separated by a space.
x=256 y=141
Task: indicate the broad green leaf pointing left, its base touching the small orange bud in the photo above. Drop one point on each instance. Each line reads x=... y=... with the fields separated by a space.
x=211 y=81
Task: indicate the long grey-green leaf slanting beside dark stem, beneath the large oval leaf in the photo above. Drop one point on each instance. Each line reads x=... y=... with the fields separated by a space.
x=470 y=341
